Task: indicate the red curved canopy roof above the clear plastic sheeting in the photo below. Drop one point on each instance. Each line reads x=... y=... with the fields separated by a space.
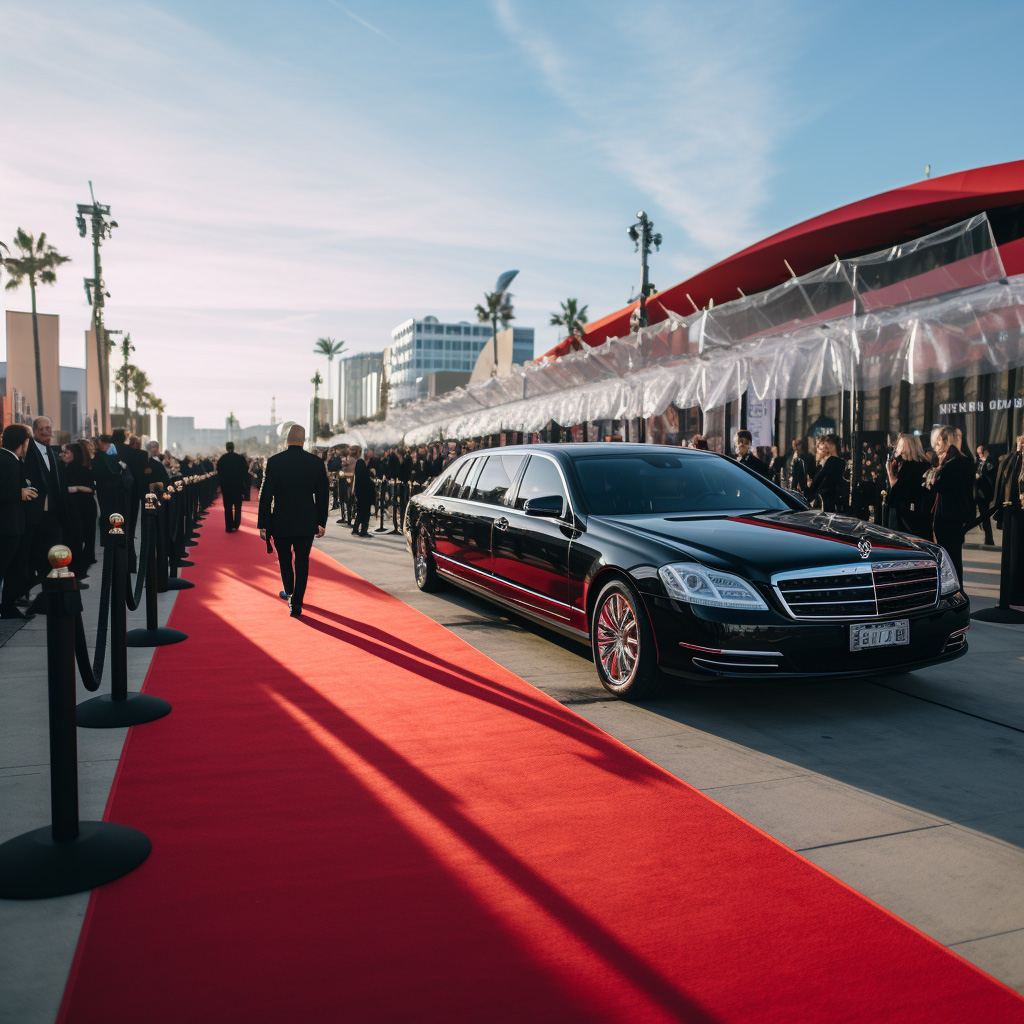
x=860 y=228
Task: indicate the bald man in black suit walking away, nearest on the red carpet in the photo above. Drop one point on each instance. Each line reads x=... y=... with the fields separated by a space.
x=293 y=507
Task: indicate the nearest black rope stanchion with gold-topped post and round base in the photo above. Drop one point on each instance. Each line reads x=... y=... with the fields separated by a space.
x=69 y=856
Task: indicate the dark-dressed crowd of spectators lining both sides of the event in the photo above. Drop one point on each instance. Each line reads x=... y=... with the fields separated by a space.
x=52 y=495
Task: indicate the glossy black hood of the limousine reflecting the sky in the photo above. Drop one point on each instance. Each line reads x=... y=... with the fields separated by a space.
x=757 y=545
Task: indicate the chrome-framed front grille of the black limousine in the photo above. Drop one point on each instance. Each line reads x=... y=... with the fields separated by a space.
x=867 y=591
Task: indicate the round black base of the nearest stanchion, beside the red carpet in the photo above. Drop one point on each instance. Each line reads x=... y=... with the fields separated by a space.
x=34 y=867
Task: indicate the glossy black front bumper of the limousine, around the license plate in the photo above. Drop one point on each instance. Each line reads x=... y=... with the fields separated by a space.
x=708 y=644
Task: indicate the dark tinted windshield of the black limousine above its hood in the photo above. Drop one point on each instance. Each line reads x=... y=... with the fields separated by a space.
x=663 y=483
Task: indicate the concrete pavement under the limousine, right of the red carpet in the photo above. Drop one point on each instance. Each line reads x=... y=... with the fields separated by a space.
x=908 y=788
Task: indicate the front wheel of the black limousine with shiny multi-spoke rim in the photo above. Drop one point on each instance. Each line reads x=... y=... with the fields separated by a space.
x=623 y=644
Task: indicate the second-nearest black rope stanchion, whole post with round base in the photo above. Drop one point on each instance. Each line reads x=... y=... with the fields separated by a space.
x=120 y=708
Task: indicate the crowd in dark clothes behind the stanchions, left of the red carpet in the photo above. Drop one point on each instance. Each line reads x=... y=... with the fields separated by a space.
x=58 y=494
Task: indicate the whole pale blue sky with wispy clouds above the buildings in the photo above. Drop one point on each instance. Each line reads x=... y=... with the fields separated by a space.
x=282 y=173
